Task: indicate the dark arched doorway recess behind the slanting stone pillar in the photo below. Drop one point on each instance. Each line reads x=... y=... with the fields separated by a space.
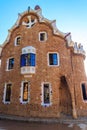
x=65 y=103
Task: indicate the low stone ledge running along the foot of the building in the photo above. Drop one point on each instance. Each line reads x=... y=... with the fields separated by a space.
x=45 y=120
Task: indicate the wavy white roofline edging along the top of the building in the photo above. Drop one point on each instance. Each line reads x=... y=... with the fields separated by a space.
x=51 y=23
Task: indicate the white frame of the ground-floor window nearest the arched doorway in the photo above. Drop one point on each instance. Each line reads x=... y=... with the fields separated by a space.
x=42 y=94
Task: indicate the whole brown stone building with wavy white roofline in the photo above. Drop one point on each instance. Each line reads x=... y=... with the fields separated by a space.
x=42 y=70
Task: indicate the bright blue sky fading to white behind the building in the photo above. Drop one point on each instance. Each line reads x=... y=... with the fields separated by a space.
x=70 y=16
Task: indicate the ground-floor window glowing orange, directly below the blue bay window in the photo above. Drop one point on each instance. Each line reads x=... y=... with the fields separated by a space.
x=24 y=92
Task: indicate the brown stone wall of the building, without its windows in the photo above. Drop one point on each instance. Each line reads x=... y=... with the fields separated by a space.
x=70 y=65
